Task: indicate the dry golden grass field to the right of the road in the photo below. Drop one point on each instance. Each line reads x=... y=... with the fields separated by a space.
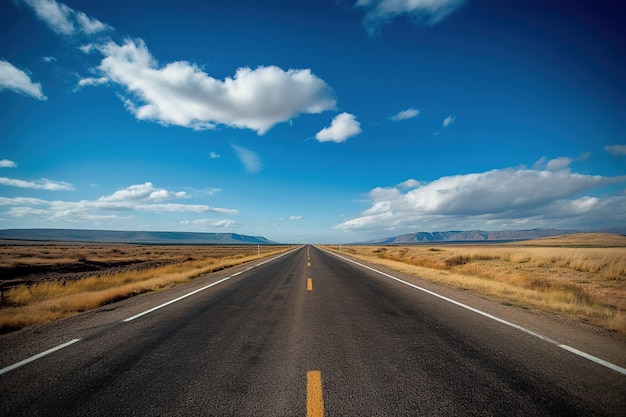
x=582 y=283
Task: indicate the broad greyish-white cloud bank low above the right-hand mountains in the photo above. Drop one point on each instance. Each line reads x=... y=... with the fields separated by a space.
x=504 y=195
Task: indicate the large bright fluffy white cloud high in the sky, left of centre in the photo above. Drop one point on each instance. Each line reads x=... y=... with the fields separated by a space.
x=180 y=93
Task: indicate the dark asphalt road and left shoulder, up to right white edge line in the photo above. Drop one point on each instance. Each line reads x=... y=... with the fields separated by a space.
x=307 y=333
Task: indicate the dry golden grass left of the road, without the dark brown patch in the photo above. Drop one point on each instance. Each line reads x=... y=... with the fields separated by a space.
x=46 y=300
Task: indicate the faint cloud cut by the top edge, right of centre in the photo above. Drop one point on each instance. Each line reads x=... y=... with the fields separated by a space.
x=426 y=12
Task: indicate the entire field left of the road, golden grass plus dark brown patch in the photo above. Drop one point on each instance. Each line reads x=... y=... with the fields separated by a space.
x=122 y=271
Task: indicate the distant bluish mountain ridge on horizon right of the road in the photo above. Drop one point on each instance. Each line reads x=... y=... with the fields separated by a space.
x=471 y=236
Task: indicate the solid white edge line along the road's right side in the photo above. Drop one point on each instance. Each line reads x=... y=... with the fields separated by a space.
x=582 y=354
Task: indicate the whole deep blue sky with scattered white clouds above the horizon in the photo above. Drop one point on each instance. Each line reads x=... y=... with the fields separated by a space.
x=313 y=121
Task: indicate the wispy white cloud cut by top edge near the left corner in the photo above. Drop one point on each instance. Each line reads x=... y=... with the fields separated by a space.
x=63 y=19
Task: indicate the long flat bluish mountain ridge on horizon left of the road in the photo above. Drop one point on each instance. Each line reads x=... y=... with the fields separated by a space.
x=110 y=236
